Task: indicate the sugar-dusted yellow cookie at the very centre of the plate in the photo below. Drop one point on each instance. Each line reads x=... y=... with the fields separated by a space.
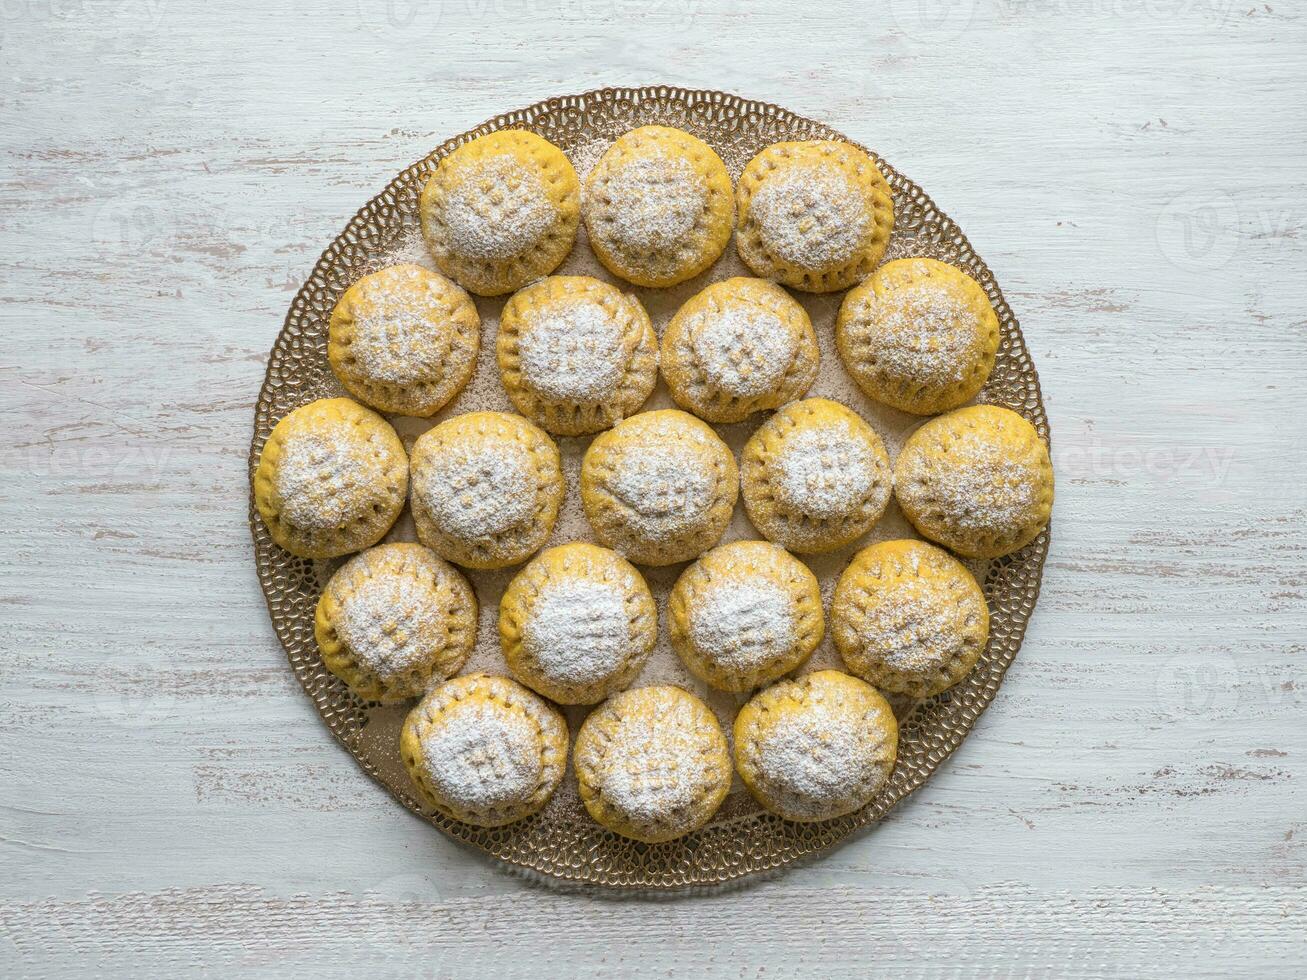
x=659 y=487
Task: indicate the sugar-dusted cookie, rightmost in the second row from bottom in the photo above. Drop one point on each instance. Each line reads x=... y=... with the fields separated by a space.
x=909 y=619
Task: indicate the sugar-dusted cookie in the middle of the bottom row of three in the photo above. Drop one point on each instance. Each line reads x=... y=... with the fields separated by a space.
x=653 y=764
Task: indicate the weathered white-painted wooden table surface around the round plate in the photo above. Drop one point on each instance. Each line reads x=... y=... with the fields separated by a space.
x=1135 y=803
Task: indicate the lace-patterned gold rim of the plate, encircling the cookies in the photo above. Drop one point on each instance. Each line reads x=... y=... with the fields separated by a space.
x=742 y=841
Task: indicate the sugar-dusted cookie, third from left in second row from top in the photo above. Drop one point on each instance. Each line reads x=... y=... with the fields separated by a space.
x=739 y=347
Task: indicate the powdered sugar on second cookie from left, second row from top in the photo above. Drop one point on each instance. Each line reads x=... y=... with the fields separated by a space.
x=573 y=353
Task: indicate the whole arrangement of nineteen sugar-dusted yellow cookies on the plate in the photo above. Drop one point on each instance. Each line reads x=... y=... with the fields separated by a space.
x=578 y=359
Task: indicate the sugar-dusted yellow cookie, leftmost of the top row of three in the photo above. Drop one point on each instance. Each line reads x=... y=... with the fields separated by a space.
x=501 y=211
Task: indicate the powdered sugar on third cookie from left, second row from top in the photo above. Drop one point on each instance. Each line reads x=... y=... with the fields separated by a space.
x=743 y=350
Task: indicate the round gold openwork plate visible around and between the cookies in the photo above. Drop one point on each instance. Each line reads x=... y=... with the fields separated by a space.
x=561 y=842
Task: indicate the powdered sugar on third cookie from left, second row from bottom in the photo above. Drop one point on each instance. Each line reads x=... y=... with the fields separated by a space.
x=743 y=623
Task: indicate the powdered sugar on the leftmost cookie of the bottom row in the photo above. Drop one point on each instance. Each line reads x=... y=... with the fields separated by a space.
x=482 y=757
